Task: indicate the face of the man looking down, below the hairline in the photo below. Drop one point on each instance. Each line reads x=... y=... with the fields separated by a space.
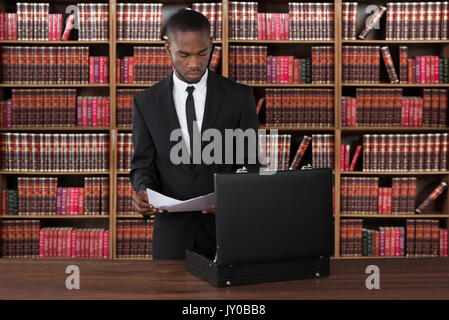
x=189 y=52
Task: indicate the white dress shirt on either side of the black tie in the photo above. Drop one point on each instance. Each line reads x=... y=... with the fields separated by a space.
x=180 y=96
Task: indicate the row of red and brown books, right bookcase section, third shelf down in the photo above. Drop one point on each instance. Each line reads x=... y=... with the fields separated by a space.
x=388 y=107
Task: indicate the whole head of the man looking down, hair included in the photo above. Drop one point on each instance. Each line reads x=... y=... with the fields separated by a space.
x=189 y=44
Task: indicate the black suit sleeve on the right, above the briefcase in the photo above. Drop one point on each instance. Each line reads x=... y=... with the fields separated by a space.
x=250 y=120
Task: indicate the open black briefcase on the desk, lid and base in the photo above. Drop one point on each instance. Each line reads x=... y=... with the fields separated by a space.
x=268 y=228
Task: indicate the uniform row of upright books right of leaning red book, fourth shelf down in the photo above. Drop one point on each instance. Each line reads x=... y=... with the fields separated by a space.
x=405 y=152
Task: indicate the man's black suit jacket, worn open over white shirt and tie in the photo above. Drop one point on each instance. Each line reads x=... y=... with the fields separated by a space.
x=229 y=105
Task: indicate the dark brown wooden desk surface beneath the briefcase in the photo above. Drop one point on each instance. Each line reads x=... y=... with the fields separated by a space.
x=105 y=279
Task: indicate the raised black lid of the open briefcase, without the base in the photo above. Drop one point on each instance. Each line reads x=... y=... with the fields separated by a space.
x=283 y=216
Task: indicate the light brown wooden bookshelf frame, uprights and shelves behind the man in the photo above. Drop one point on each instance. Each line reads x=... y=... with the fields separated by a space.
x=114 y=49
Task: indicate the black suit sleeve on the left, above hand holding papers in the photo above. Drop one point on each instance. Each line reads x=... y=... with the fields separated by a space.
x=144 y=173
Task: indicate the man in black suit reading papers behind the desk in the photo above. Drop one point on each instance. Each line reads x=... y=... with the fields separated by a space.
x=190 y=96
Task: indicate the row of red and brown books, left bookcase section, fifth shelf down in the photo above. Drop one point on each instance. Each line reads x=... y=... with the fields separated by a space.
x=42 y=196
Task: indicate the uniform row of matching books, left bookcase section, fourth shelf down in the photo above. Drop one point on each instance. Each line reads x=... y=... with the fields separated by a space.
x=56 y=152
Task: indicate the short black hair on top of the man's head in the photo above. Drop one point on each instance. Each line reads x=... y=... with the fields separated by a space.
x=187 y=20
